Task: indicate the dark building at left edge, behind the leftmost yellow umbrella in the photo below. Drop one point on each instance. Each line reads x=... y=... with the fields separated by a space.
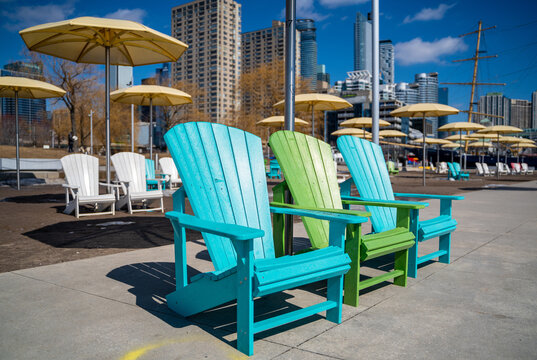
x=32 y=112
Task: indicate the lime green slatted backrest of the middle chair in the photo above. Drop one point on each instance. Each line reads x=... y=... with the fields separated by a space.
x=306 y=160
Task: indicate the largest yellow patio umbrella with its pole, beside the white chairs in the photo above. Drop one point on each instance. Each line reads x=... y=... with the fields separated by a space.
x=93 y=40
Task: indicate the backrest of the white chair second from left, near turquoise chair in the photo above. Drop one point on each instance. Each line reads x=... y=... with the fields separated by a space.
x=130 y=167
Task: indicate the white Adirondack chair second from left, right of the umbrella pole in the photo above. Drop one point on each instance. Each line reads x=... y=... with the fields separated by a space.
x=130 y=173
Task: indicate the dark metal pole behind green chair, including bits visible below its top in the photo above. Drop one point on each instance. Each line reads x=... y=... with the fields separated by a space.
x=290 y=49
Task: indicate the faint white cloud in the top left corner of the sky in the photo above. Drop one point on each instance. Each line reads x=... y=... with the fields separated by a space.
x=21 y=17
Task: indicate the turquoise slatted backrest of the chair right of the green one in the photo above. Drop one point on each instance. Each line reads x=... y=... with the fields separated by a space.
x=370 y=175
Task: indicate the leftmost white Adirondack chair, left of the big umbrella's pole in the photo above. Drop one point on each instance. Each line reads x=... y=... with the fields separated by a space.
x=82 y=176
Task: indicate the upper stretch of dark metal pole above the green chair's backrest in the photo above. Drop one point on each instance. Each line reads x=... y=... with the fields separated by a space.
x=290 y=50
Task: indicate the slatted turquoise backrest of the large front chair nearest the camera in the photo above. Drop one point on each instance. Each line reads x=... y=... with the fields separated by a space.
x=223 y=173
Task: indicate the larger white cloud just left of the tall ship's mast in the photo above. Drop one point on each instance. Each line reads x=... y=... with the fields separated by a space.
x=417 y=51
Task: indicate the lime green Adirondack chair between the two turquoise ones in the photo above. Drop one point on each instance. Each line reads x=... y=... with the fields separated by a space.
x=310 y=176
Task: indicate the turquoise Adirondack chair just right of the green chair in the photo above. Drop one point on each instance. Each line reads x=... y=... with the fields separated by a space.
x=368 y=170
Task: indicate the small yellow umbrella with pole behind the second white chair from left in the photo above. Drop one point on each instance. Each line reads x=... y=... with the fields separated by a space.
x=151 y=95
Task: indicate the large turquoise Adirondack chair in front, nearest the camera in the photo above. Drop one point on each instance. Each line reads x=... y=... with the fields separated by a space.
x=224 y=178
